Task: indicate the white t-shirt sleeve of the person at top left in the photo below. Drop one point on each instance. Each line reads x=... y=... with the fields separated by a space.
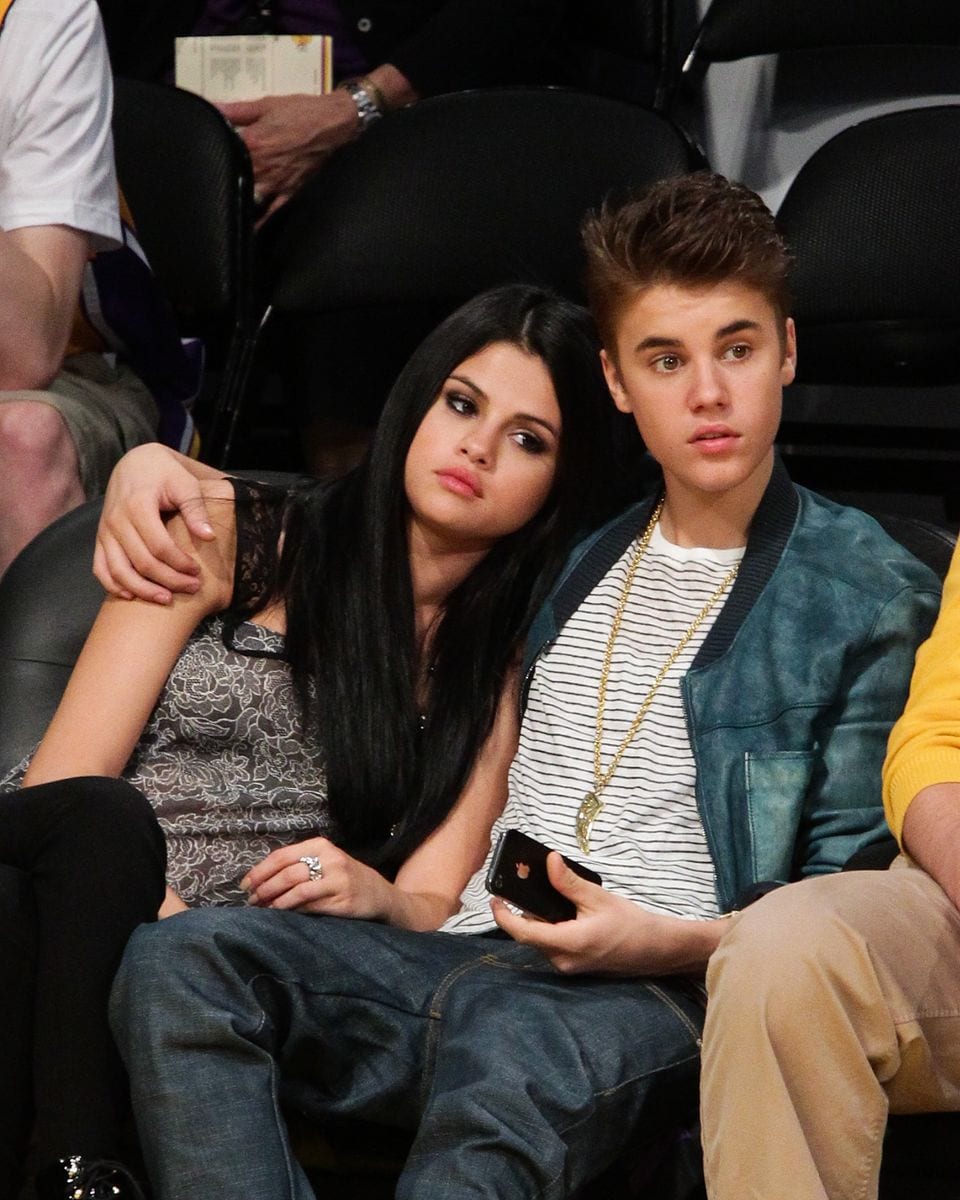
x=56 y=105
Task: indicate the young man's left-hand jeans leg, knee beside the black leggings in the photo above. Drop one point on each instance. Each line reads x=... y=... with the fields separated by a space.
x=212 y=1006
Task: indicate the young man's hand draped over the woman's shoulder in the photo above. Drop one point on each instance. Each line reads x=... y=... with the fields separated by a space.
x=136 y=555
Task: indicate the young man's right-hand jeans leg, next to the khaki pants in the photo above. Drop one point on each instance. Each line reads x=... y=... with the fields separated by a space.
x=538 y=1082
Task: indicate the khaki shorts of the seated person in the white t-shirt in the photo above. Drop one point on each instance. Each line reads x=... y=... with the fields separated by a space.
x=106 y=409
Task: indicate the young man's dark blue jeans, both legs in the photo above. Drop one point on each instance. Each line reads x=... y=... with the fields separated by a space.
x=519 y=1082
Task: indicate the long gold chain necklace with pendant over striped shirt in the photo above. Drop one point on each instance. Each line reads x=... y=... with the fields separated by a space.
x=592 y=806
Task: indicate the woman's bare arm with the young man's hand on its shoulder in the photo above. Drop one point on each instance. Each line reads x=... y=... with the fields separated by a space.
x=125 y=663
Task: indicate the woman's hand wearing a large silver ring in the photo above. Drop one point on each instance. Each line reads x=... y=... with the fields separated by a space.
x=346 y=887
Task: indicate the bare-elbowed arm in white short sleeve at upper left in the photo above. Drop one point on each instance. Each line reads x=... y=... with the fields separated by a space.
x=58 y=185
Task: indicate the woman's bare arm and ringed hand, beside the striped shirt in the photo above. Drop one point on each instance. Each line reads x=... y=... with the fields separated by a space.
x=429 y=885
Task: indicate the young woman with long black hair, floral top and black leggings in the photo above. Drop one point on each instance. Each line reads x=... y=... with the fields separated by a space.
x=368 y=639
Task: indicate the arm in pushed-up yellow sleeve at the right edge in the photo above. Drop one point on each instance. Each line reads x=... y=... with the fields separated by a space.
x=922 y=772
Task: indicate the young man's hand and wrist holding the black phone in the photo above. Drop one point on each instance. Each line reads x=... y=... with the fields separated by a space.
x=611 y=935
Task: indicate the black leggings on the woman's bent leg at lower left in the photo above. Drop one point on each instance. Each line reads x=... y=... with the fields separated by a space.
x=85 y=863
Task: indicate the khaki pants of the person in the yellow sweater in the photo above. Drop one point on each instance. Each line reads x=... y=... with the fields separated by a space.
x=831 y=1004
